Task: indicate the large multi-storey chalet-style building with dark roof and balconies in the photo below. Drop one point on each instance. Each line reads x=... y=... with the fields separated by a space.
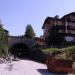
x=60 y=31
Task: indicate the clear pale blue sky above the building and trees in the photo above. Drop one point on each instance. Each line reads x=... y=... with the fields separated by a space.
x=16 y=14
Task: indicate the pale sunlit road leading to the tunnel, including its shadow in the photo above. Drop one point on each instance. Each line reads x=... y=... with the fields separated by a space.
x=24 y=67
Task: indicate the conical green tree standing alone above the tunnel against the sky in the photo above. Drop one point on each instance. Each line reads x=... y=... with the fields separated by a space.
x=29 y=32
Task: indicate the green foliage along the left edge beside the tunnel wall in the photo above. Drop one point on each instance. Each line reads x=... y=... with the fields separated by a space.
x=3 y=42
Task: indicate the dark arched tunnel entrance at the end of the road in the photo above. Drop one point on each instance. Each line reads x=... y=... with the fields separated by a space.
x=20 y=50
